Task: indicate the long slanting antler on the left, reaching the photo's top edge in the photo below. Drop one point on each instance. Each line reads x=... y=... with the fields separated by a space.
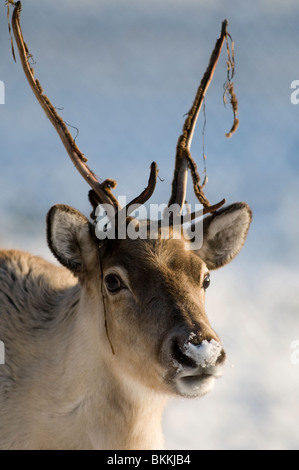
x=102 y=190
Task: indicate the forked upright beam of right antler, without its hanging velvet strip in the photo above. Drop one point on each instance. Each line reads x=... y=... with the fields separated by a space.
x=183 y=158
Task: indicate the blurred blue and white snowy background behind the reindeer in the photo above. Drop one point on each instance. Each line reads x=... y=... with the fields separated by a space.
x=125 y=72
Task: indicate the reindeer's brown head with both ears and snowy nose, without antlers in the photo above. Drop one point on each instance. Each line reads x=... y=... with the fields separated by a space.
x=153 y=295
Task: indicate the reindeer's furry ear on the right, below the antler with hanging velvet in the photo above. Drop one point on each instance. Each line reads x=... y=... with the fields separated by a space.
x=224 y=234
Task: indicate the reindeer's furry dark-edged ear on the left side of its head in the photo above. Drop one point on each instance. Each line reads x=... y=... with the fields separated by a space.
x=70 y=238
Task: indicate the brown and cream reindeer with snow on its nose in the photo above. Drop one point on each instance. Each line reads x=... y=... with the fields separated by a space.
x=95 y=348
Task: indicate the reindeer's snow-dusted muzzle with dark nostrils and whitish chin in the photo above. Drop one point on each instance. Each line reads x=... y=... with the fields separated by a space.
x=193 y=368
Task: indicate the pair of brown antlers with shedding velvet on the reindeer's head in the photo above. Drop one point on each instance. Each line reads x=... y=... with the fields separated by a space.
x=101 y=192
